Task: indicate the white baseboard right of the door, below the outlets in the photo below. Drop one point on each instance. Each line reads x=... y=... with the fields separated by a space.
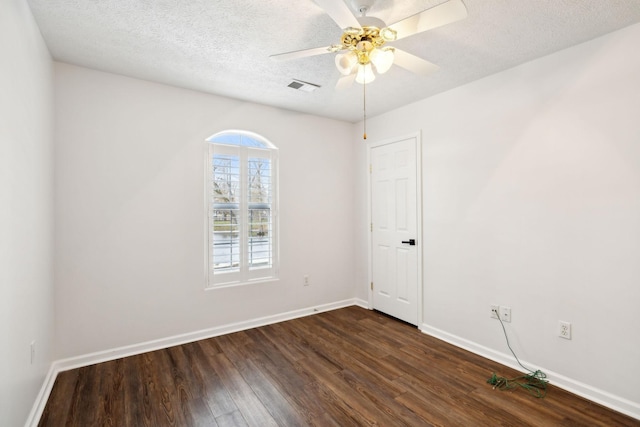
x=594 y=394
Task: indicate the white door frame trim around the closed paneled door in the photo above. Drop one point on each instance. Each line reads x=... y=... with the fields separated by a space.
x=370 y=146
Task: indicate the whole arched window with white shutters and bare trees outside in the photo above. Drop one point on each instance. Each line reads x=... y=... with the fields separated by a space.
x=242 y=227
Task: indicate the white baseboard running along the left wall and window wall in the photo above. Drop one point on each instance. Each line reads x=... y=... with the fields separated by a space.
x=131 y=350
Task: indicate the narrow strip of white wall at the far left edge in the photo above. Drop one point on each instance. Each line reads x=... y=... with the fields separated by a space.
x=26 y=209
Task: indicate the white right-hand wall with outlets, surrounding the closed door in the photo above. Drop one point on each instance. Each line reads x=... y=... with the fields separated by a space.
x=531 y=199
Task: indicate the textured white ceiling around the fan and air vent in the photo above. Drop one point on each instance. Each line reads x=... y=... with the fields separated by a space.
x=223 y=46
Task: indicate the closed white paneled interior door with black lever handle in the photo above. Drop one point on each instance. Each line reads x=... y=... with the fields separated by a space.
x=394 y=228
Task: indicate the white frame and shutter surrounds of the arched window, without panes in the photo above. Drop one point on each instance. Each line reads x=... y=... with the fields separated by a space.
x=245 y=274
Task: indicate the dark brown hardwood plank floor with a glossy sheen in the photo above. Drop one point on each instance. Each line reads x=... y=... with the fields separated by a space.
x=347 y=367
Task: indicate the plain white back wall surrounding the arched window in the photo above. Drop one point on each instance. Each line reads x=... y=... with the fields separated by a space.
x=130 y=211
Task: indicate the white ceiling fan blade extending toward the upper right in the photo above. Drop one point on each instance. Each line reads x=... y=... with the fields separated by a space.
x=443 y=14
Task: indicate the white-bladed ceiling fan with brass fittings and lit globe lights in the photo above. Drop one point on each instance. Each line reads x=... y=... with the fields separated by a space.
x=363 y=46
